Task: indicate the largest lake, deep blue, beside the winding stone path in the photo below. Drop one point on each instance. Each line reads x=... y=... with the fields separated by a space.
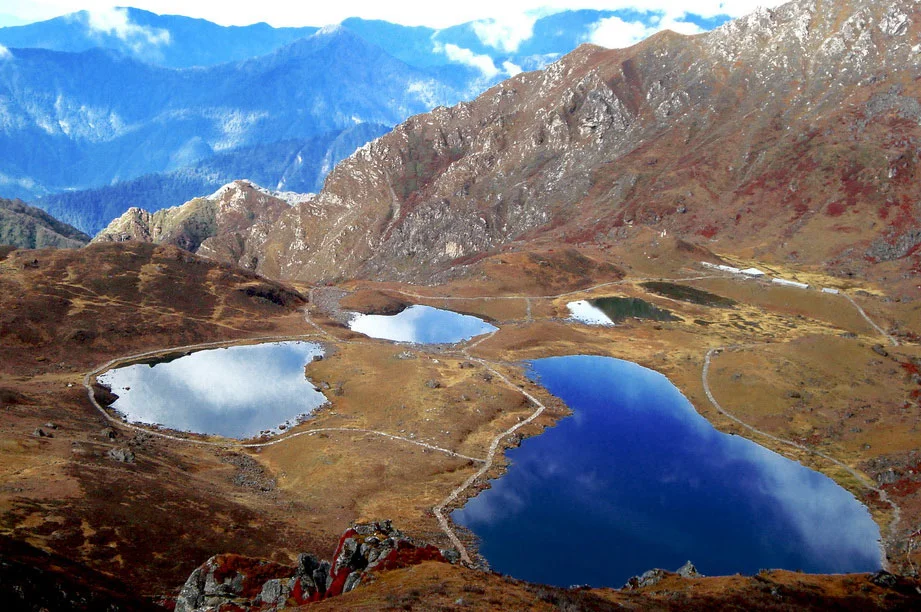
x=637 y=479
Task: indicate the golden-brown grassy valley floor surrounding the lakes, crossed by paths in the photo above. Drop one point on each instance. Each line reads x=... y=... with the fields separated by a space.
x=830 y=380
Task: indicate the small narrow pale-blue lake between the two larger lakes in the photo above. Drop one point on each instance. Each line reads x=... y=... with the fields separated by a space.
x=421 y=325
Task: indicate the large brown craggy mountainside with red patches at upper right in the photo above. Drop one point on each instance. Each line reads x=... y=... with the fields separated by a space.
x=791 y=133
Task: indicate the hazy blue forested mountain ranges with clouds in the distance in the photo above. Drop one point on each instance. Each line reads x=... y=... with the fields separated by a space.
x=101 y=109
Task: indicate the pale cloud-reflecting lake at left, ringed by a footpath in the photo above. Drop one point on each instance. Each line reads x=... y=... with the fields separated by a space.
x=237 y=392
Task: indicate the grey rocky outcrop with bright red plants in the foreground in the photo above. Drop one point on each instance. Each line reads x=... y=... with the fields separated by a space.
x=262 y=585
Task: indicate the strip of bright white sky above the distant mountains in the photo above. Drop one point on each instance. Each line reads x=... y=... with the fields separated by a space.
x=513 y=14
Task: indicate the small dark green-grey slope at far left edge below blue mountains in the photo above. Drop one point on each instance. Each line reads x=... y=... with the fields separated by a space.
x=27 y=227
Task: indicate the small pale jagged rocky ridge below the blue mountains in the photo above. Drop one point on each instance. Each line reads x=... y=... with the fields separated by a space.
x=230 y=225
